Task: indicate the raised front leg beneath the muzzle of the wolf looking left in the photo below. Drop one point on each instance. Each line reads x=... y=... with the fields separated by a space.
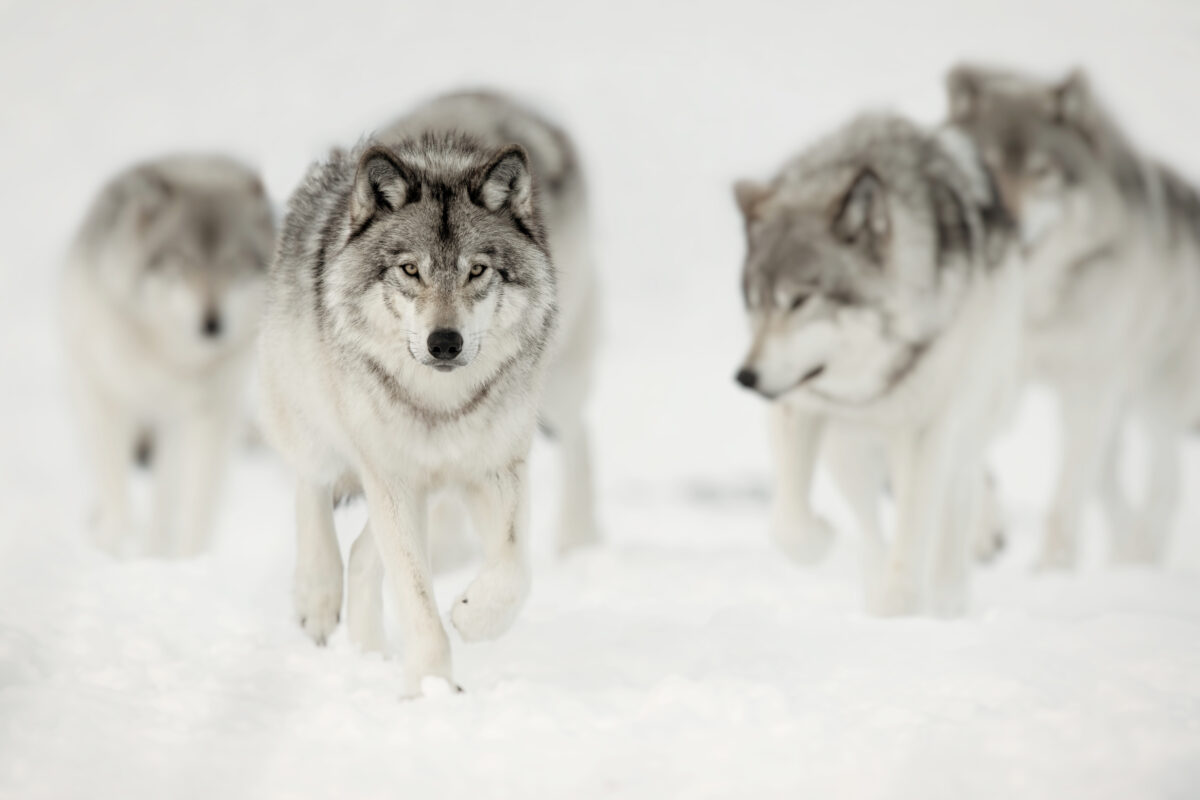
x=795 y=442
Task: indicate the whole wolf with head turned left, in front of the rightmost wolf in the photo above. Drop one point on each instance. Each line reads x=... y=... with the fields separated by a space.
x=885 y=303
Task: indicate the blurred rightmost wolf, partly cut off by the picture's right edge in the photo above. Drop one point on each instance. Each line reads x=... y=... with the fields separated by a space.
x=1113 y=308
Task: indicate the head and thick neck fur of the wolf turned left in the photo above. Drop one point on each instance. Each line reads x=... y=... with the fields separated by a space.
x=854 y=262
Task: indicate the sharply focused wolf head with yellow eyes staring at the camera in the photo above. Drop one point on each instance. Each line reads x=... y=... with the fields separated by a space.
x=446 y=256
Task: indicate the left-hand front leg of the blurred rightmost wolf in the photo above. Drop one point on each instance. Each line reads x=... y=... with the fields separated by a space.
x=1090 y=422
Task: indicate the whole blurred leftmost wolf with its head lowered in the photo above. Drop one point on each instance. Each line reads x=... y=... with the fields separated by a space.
x=161 y=297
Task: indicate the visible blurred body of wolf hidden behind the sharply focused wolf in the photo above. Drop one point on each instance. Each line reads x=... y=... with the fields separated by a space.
x=497 y=122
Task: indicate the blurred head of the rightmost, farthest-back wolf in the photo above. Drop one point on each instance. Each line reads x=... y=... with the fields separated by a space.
x=1059 y=163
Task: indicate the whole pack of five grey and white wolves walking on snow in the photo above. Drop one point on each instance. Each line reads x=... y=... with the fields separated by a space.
x=429 y=305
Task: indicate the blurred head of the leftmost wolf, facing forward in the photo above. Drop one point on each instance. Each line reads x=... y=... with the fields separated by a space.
x=188 y=255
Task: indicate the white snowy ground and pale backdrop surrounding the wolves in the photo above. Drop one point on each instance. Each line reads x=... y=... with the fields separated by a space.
x=683 y=659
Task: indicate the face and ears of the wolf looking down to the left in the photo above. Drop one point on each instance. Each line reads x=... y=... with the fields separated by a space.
x=818 y=284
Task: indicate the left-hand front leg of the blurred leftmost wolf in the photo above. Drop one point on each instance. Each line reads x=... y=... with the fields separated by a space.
x=109 y=436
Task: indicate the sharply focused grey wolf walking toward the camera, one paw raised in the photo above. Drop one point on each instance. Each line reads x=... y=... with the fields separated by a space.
x=411 y=321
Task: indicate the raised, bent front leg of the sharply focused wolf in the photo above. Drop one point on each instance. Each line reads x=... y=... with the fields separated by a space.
x=500 y=506
